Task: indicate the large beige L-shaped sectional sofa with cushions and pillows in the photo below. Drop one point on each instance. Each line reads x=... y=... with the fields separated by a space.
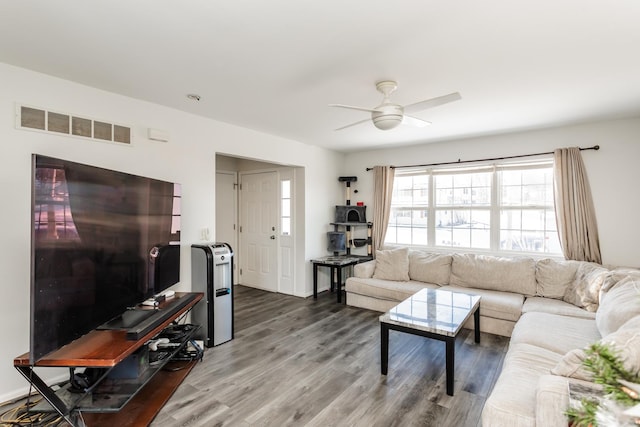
x=551 y=310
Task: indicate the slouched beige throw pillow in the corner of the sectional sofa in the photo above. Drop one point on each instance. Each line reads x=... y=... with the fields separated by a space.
x=583 y=292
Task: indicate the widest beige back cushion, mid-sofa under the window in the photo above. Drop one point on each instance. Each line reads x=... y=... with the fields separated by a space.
x=516 y=275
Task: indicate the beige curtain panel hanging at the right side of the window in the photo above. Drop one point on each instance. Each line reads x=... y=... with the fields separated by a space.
x=575 y=214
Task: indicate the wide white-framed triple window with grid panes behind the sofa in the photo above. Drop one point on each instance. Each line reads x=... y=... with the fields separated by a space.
x=494 y=208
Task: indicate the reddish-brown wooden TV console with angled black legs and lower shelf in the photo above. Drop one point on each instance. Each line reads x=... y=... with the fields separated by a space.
x=138 y=399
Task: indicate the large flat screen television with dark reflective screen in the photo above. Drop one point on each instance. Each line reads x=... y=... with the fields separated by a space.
x=102 y=242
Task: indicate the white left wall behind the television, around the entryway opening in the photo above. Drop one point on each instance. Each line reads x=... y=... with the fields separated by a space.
x=188 y=158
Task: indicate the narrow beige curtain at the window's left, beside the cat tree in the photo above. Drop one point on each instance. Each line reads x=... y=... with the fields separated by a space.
x=382 y=191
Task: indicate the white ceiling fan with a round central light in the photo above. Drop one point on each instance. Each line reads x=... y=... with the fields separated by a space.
x=388 y=115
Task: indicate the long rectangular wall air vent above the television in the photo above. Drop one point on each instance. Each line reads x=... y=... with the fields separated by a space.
x=32 y=118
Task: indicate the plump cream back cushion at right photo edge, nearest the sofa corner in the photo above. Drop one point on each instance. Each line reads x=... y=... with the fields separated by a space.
x=620 y=304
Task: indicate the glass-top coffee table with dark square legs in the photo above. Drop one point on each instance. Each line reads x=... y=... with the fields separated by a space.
x=431 y=313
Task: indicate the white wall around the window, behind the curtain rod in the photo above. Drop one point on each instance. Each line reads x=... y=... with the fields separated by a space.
x=613 y=171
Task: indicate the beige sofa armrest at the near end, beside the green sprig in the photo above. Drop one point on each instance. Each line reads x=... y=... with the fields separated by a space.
x=552 y=399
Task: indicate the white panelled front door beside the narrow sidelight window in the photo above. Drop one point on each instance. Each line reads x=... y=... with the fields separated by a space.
x=258 y=230
